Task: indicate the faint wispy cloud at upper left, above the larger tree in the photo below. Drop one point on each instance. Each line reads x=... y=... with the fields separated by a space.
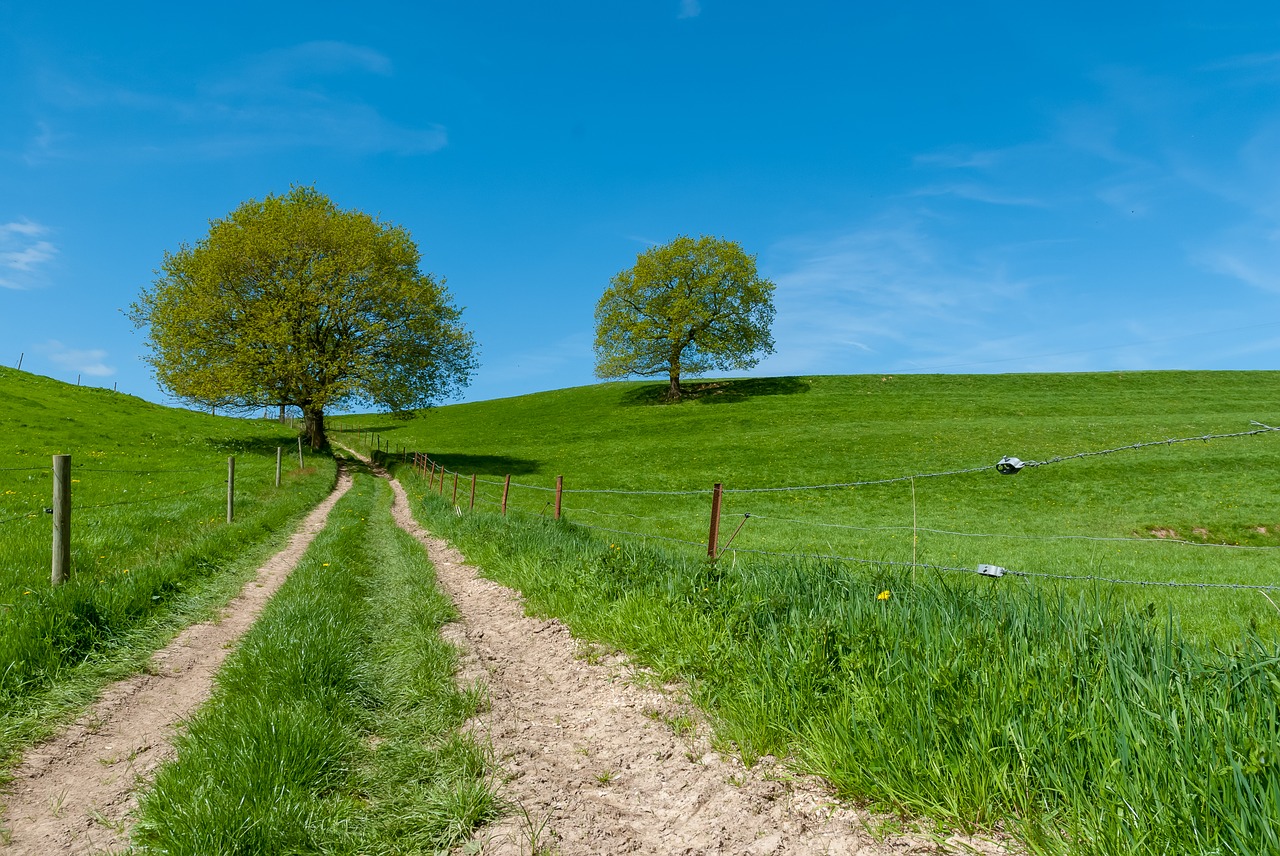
x=304 y=97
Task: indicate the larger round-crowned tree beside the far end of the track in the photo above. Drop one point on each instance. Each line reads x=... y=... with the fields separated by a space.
x=296 y=303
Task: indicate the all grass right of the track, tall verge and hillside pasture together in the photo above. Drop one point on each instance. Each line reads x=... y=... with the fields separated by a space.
x=1084 y=717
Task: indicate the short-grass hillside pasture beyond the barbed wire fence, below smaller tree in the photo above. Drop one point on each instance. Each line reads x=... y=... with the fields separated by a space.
x=1154 y=515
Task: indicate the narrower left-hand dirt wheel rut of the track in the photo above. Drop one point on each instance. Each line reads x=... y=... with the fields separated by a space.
x=74 y=794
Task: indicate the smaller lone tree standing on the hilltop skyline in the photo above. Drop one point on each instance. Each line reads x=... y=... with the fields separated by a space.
x=688 y=306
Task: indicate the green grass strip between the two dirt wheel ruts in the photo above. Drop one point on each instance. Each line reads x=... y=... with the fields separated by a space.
x=333 y=729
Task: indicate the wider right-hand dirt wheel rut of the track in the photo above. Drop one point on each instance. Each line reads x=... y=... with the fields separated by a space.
x=600 y=761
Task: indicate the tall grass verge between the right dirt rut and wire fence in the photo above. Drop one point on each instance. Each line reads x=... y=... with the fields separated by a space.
x=1072 y=718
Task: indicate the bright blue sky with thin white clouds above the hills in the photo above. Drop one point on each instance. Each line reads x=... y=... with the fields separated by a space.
x=932 y=187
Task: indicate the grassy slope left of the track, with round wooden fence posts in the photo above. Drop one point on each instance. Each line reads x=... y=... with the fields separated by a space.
x=150 y=544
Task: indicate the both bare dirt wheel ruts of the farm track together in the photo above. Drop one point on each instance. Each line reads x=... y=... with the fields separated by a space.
x=596 y=758
